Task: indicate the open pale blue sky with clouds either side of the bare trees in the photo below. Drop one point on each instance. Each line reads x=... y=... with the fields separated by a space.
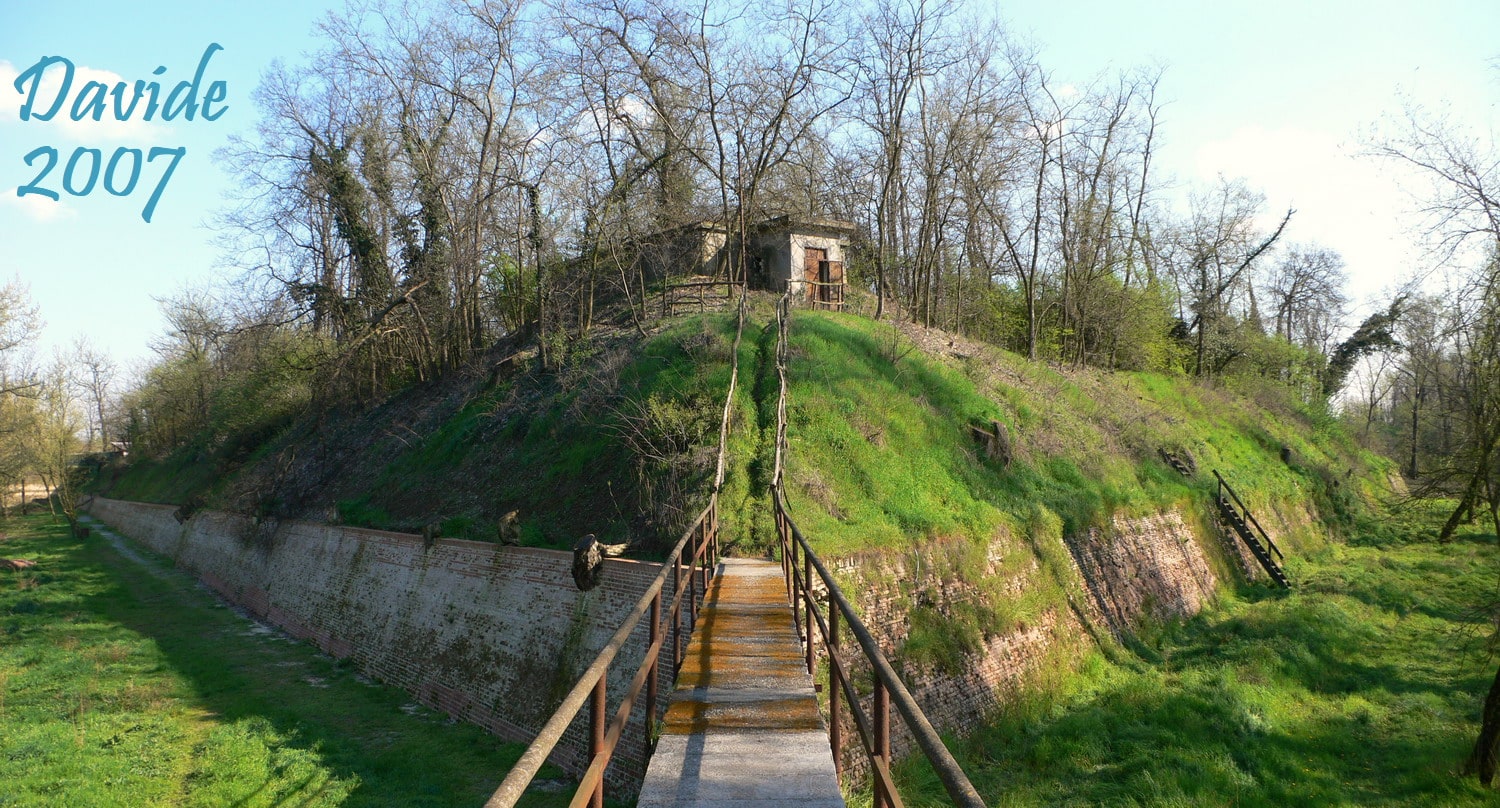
x=1283 y=94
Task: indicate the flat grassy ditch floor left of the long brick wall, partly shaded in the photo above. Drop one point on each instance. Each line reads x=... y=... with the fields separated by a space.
x=127 y=684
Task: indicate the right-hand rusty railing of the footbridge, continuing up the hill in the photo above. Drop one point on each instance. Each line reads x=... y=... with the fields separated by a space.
x=800 y=564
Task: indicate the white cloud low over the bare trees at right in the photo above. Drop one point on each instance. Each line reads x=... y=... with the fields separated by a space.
x=1345 y=202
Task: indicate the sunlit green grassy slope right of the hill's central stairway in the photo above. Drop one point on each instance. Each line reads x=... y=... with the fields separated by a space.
x=883 y=453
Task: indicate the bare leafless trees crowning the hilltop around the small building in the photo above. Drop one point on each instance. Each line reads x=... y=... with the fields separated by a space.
x=445 y=175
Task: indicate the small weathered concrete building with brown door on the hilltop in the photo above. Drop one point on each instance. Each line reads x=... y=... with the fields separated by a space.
x=800 y=254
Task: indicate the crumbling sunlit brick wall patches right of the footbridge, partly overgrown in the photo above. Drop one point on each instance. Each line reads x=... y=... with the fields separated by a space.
x=1150 y=566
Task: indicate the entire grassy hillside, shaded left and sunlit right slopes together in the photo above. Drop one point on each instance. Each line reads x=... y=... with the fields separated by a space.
x=619 y=441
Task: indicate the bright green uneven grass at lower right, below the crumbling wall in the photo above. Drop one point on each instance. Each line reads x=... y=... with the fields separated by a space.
x=1363 y=687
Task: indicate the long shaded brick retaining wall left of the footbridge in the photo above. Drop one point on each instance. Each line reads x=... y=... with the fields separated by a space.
x=481 y=632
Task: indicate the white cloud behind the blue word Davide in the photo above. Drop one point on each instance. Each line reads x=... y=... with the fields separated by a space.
x=136 y=131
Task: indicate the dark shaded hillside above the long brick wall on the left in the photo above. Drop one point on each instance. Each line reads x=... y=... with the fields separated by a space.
x=619 y=443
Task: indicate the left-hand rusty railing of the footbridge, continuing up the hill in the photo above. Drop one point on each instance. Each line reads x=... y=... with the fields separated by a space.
x=700 y=548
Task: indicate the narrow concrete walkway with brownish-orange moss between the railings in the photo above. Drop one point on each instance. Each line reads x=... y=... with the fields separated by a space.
x=743 y=726
